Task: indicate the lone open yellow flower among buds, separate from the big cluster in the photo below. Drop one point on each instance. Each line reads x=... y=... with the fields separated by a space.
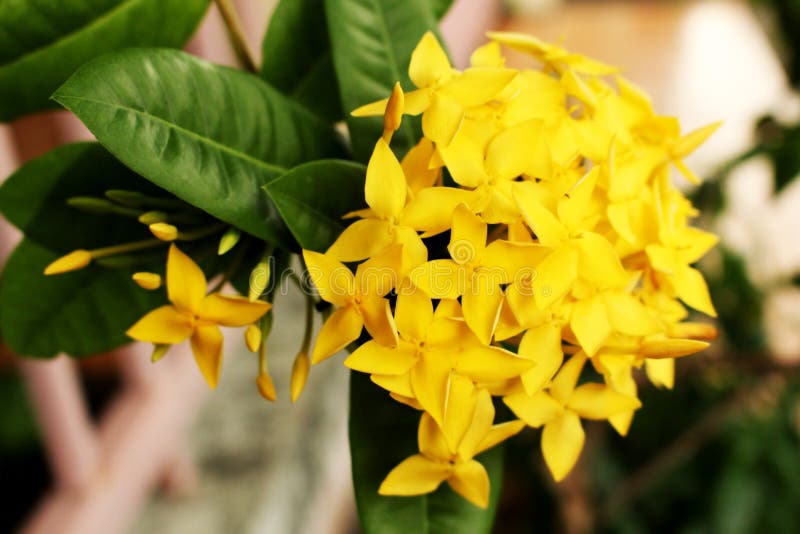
x=195 y=315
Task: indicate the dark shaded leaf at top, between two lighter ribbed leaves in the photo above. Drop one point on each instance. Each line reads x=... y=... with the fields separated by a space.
x=301 y=67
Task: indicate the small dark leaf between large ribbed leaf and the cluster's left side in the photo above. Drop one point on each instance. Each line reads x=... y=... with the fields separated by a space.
x=313 y=197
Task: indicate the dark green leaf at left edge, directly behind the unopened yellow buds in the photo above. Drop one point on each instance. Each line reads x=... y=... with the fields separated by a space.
x=34 y=198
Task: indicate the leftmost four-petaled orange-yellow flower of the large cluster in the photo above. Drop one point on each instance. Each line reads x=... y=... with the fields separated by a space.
x=359 y=299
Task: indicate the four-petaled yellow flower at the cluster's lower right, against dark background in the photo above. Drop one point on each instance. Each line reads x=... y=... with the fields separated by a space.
x=559 y=410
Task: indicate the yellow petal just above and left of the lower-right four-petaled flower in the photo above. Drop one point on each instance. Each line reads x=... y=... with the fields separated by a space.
x=541 y=344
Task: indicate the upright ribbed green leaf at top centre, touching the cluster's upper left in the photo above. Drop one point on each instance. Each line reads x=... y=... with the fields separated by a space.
x=372 y=41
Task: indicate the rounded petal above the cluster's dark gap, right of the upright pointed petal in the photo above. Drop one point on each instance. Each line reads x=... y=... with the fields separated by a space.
x=431 y=210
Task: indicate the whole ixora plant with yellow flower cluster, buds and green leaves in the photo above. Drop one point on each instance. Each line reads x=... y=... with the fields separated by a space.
x=498 y=248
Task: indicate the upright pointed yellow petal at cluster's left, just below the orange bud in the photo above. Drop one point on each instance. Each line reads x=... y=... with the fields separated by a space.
x=385 y=188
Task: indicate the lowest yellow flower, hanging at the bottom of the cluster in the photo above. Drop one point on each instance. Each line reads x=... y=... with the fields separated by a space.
x=438 y=461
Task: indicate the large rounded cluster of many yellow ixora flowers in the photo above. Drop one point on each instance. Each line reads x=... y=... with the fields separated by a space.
x=568 y=245
